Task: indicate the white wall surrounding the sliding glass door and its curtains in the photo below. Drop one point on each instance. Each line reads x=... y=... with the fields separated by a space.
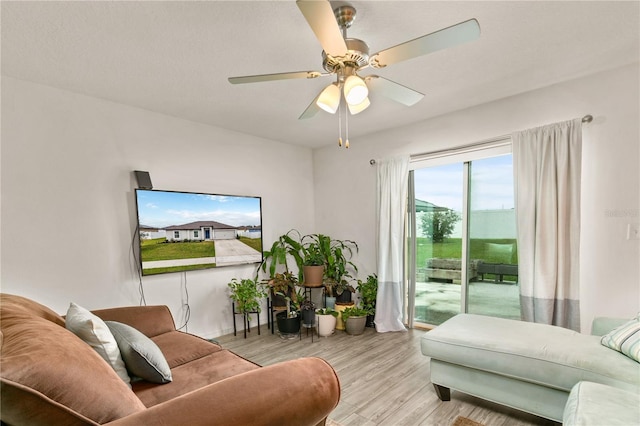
x=345 y=182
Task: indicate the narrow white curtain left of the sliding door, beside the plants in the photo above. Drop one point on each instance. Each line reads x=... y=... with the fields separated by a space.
x=393 y=178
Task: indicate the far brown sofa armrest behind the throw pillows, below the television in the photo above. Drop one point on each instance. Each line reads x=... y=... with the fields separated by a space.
x=150 y=320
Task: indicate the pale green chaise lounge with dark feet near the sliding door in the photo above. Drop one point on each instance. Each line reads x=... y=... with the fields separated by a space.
x=528 y=366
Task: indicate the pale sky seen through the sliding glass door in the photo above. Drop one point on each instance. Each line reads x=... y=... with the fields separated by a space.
x=491 y=184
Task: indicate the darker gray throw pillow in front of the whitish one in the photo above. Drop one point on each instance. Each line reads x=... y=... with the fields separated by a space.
x=142 y=357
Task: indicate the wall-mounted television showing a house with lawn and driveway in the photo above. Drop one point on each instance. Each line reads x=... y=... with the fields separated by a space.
x=185 y=231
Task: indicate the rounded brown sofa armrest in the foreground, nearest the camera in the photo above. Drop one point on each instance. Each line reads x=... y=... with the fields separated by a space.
x=300 y=392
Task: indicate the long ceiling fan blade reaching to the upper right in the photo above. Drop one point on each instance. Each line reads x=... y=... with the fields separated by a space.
x=447 y=37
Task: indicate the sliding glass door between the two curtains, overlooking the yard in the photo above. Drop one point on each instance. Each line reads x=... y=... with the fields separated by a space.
x=462 y=244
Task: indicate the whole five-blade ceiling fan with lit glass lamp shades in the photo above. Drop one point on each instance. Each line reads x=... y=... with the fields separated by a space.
x=345 y=57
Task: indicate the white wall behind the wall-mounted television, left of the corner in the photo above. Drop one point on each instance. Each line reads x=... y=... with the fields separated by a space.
x=68 y=207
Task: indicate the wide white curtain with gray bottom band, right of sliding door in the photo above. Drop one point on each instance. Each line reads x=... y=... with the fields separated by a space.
x=547 y=167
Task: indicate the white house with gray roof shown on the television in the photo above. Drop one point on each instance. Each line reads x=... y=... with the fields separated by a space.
x=209 y=230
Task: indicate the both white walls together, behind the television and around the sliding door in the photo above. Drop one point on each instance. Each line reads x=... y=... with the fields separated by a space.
x=66 y=175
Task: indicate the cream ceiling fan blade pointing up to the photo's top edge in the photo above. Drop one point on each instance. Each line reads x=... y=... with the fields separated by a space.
x=320 y=17
